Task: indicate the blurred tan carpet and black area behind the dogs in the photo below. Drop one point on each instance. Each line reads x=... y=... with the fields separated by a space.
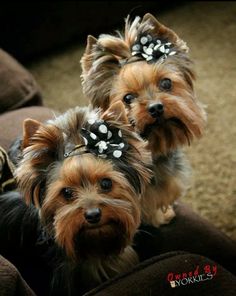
x=49 y=40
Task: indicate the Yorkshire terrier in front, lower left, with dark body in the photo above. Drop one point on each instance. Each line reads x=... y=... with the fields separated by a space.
x=81 y=177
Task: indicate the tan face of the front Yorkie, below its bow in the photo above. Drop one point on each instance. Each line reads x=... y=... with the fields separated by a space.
x=90 y=207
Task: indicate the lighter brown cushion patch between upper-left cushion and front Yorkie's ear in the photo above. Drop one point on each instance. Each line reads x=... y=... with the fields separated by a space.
x=11 y=123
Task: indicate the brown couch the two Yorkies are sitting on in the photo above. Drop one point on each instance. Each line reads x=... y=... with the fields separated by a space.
x=169 y=255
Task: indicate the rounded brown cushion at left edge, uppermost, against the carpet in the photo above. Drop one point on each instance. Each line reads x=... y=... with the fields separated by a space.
x=18 y=87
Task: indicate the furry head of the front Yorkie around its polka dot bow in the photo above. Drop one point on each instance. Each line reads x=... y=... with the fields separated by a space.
x=88 y=204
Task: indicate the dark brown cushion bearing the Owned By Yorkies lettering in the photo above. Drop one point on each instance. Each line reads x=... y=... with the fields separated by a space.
x=157 y=276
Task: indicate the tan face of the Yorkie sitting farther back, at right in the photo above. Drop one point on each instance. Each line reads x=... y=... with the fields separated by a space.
x=161 y=103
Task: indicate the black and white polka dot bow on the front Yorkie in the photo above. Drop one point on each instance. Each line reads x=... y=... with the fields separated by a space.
x=103 y=140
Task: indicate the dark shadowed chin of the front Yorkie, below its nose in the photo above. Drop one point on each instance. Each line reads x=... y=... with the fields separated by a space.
x=101 y=241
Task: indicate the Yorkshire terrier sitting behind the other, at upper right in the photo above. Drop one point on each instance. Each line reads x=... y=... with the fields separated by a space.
x=149 y=69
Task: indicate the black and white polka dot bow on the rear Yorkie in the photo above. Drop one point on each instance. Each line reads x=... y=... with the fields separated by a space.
x=152 y=49
